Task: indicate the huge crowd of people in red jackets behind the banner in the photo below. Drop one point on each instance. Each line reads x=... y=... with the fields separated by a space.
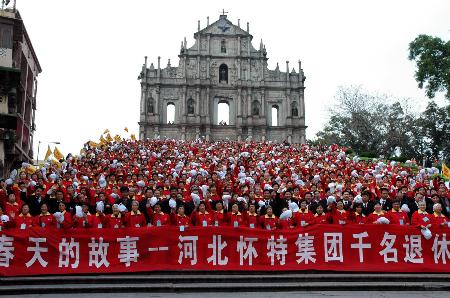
x=261 y=185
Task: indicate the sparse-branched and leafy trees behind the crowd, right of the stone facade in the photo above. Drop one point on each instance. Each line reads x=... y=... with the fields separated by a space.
x=371 y=127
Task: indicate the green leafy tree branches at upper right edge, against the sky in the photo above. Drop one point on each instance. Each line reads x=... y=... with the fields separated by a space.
x=432 y=57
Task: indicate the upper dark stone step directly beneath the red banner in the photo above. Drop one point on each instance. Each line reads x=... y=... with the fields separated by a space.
x=223 y=277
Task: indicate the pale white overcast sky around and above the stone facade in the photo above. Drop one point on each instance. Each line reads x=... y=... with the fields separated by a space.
x=91 y=53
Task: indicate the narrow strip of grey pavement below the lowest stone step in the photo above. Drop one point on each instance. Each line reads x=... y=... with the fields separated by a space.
x=314 y=294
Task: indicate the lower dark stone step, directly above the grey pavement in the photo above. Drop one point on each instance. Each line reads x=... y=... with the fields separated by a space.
x=222 y=287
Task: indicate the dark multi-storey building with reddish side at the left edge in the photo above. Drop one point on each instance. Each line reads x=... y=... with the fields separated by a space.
x=19 y=68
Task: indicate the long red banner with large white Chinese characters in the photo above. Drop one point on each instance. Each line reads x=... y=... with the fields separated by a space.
x=322 y=247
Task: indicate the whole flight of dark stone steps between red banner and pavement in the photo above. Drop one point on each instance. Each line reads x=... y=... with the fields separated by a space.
x=190 y=281
